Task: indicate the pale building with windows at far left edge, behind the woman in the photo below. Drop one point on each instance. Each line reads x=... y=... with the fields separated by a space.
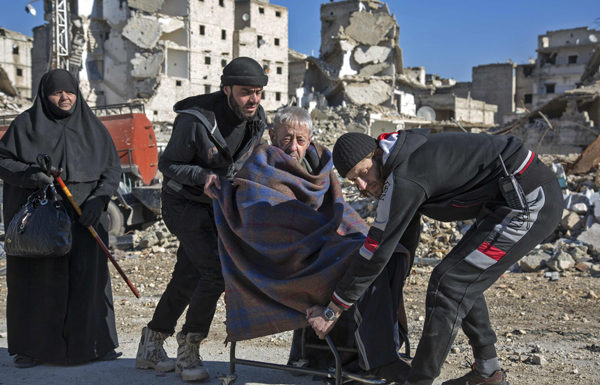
x=15 y=63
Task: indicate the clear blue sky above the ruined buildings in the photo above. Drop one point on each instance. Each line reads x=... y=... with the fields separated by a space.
x=447 y=37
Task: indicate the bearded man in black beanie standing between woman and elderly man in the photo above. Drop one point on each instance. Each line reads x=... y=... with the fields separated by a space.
x=212 y=136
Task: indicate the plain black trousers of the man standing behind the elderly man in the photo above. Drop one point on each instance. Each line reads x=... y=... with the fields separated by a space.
x=197 y=278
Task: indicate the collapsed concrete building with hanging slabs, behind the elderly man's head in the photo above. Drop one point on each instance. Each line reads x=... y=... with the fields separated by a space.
x=361 y=63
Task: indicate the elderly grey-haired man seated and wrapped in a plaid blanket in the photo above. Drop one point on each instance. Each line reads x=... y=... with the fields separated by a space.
x=286 y=236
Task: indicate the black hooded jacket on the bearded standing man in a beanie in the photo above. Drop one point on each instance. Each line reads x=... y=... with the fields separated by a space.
x=197 y=147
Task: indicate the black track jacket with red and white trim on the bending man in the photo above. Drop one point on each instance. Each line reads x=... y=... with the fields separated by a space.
x=447 y=177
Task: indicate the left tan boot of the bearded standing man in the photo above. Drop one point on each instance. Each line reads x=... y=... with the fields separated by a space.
x=151 y=353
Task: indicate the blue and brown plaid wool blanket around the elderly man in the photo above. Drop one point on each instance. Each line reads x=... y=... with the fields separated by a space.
x=285 y=238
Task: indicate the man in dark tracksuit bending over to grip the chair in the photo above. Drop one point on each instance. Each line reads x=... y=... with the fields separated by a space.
x=516 y=202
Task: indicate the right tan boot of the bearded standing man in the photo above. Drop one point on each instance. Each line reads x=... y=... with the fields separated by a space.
x=189 y=363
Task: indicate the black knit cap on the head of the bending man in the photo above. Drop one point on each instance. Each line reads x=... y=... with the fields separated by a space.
x=350 y=149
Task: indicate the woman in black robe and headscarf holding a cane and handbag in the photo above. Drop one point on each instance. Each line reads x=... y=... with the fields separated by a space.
x=60 y=310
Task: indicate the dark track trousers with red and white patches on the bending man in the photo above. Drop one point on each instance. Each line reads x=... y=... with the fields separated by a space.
x=455 y=299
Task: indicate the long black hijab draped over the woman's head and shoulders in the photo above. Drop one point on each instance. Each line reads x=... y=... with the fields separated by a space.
x=76 y=140
